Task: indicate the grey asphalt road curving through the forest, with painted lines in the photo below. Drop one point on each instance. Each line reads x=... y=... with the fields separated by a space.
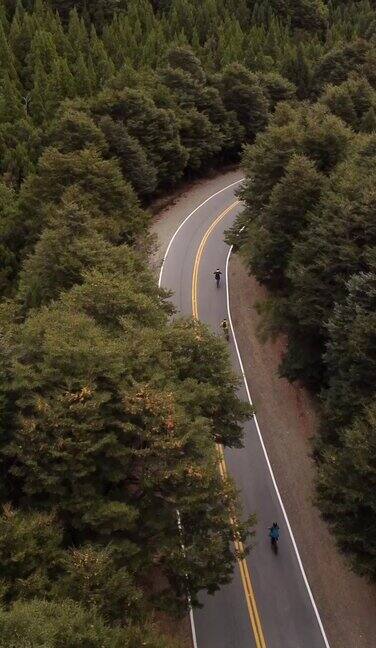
x=269 y=602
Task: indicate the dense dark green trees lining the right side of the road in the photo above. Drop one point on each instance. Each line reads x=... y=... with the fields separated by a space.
x=308 y=233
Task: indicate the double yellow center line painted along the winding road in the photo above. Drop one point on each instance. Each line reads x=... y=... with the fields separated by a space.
x=243 y=566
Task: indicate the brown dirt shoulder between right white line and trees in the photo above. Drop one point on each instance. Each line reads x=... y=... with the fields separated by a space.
x=288 y=419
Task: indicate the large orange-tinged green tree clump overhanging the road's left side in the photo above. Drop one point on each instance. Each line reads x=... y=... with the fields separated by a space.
x=114 y=457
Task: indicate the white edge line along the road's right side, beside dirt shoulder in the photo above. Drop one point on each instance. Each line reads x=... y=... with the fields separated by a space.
x=269 y=464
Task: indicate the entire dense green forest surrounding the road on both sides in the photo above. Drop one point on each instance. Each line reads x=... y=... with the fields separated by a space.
x=109 y=408
